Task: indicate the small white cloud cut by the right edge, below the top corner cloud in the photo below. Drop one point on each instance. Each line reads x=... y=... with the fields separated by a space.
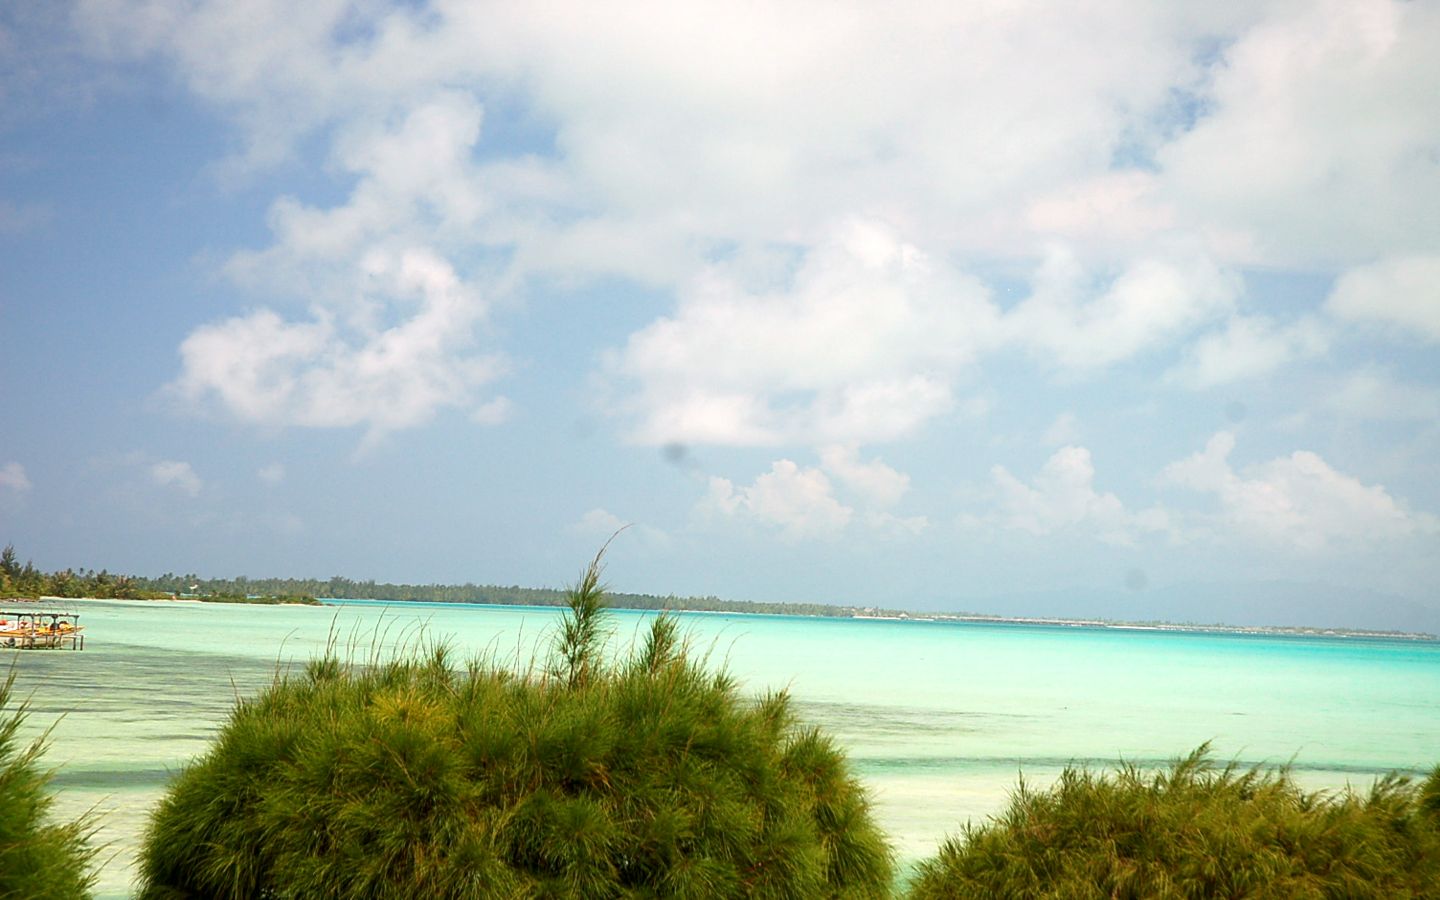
x=1399 y=292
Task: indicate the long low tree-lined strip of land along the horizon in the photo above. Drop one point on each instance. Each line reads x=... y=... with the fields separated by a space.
x=27 y=581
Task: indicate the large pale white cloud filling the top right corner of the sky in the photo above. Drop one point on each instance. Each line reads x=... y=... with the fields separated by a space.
x=1315 y=139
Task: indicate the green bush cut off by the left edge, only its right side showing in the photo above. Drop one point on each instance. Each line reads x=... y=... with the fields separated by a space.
x=38 y=860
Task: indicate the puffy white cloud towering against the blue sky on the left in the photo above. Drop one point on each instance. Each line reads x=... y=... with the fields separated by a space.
x=391 y=333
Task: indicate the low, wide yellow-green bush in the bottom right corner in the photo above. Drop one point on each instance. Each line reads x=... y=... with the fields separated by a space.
x=1197 y=830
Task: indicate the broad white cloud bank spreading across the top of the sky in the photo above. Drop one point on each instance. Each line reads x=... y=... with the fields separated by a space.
x=688 y=126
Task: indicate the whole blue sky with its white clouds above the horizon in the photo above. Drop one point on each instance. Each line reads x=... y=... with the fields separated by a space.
x=1102 y=309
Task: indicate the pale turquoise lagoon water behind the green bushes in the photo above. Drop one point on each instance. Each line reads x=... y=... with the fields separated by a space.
x=937 y=718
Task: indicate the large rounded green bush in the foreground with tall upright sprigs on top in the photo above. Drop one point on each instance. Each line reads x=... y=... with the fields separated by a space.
x=644 y=777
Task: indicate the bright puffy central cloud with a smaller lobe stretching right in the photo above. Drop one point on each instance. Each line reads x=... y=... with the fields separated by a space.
x=869 y=338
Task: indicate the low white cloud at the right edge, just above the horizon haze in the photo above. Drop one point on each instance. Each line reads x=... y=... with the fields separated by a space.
x=1298 y=502
